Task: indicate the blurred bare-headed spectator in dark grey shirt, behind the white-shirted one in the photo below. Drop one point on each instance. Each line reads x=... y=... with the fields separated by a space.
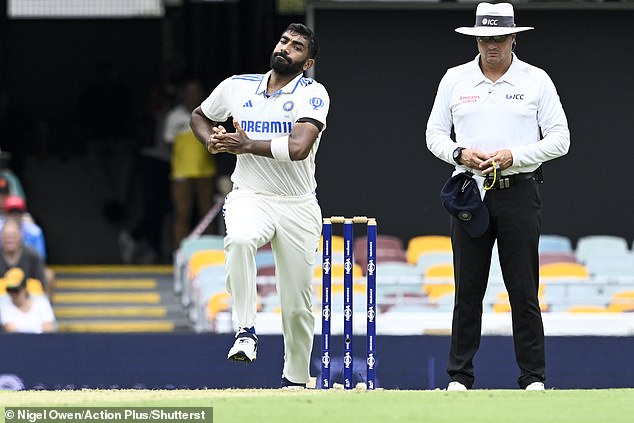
x=16 y=254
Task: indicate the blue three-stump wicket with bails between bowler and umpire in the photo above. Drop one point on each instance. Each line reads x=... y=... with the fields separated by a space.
x=348 y=280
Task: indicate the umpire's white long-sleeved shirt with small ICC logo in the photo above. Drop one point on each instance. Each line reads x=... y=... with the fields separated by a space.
x=506 y=114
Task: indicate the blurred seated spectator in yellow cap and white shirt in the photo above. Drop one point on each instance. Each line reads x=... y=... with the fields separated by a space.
x=25 y=313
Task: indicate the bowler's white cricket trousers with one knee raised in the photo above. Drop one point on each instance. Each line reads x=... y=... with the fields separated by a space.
x=293 y=226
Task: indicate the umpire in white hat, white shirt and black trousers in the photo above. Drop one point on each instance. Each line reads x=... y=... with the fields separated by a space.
x=508 y=120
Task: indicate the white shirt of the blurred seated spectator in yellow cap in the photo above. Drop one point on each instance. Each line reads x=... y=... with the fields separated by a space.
x=31 y=321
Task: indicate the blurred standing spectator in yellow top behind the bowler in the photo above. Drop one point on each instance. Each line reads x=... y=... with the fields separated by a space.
x=193 y=168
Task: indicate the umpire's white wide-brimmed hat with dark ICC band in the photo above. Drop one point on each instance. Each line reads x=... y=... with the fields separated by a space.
x=492 y=20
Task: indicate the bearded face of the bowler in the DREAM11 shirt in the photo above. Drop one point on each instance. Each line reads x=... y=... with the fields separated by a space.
x=290 y=56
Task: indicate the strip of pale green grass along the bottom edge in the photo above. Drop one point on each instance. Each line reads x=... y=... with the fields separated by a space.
x=380 y=406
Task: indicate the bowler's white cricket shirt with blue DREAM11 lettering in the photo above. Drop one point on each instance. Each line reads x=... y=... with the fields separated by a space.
x=266 y=117
